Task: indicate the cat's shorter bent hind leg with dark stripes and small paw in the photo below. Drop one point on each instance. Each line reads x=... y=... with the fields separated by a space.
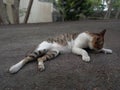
x=49 y=55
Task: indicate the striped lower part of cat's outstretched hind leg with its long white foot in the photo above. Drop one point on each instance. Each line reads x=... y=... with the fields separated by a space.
x=33 y=56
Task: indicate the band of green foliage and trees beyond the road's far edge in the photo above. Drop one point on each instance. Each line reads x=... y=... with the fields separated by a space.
x=81 y=9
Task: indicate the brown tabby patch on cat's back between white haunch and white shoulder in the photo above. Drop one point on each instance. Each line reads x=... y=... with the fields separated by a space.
x=63 y=39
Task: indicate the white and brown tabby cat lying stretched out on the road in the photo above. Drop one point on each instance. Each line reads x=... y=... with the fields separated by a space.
x=65 y=43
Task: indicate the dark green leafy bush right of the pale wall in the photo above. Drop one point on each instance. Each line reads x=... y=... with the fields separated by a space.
x=73 y=9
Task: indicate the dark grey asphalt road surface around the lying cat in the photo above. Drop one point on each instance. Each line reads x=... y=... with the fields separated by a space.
x=66 y=72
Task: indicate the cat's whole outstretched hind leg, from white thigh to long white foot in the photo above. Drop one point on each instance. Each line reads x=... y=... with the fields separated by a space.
x=39 y=51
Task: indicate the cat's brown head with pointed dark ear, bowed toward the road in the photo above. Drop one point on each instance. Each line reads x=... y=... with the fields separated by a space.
x=98 y=40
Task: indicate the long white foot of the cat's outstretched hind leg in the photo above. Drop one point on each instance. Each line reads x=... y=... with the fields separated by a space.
x=15 y=68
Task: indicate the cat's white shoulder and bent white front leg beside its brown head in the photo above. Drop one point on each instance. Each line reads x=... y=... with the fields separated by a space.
x=82 y=41
